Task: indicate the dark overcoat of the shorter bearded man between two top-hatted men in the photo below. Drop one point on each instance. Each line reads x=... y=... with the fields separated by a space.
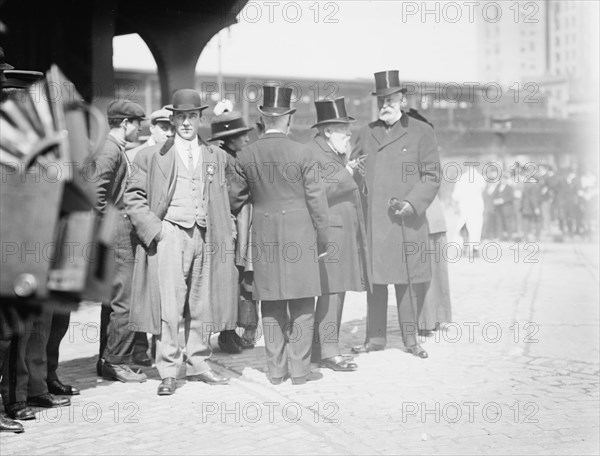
x=345 y=269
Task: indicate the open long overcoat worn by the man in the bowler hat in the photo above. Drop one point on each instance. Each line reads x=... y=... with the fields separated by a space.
x=147 y=197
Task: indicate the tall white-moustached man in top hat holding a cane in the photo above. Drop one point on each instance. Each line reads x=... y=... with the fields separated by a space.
x=402 y=162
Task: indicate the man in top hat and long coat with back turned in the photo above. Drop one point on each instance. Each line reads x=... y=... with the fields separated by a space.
x=289 y=232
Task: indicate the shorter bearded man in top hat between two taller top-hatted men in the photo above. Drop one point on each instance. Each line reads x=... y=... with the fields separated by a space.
x=345 y=269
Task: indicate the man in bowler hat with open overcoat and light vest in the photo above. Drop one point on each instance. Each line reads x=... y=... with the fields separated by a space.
x=179 y=205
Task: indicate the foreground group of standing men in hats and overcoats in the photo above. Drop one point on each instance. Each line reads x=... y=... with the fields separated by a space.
x=208 y=229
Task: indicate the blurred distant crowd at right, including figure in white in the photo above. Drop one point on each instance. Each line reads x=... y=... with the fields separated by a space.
x=523 y=204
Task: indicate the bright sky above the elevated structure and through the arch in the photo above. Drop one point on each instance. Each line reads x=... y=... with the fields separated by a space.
x=343 y=40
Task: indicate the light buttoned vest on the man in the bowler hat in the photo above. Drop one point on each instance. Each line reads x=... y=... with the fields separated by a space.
x=187 y=206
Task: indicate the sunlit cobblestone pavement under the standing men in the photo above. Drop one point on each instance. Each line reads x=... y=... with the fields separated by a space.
x=517 y=371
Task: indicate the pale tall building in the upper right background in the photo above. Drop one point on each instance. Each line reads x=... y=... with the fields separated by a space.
x=548 y=50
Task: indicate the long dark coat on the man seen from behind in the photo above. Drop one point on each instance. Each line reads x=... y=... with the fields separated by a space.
x=289 y=216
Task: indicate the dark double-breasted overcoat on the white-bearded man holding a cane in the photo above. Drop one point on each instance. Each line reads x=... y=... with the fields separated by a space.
x=402 y=163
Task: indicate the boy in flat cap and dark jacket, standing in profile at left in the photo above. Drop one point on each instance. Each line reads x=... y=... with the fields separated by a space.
x=112 y=168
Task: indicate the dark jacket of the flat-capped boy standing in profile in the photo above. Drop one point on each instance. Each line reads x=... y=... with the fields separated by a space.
x=110 y=166
